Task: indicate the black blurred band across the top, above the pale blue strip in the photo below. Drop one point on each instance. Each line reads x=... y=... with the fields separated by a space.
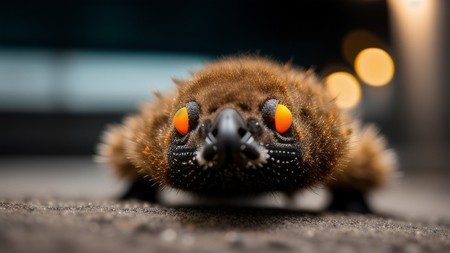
x=280 y=29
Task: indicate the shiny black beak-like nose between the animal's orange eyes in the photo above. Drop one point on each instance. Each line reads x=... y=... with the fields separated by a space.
x=229 y=139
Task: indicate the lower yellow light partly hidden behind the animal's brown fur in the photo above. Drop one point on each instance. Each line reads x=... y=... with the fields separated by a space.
x=345 y=88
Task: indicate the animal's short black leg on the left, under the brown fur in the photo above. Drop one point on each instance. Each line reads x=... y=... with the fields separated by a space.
x=142 y=189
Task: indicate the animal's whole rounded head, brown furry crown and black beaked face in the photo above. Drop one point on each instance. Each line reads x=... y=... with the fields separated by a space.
x=251 y=125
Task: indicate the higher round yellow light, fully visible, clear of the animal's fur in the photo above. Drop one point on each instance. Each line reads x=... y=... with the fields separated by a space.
x=374 y=66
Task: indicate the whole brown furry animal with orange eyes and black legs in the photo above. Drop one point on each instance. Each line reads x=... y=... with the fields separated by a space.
x=243 y=126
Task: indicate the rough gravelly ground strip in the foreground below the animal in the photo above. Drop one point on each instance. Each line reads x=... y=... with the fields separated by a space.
x=61 y=225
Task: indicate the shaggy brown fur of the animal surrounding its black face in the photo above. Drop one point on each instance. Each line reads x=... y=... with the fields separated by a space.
x=336 y=151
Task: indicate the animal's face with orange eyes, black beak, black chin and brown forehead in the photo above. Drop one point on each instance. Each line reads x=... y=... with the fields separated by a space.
x=239 y=137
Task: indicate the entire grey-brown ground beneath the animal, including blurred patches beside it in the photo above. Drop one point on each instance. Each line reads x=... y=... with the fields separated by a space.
x=66 y=205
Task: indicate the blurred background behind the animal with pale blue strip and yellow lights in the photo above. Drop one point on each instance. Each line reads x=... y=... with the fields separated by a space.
x=69 y=68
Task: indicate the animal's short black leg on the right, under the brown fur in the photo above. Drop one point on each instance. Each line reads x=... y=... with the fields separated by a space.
x=348 y=200
